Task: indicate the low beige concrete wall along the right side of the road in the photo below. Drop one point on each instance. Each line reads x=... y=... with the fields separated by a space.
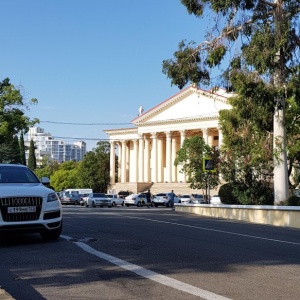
x=285 y=216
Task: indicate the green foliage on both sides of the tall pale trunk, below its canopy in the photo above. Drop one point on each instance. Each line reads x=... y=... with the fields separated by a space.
x=246 y=156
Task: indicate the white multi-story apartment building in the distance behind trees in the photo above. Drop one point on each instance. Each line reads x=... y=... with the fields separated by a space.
x=57 y=150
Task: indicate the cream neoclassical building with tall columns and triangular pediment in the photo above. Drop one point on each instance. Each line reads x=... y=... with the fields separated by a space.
x=146 y=152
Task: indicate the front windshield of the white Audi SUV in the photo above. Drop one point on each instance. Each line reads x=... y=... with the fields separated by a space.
x=17 y=174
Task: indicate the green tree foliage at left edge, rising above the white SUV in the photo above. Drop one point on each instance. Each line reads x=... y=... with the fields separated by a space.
x=12 y=118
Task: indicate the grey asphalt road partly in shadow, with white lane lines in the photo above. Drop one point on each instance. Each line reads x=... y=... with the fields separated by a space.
x=152 y=253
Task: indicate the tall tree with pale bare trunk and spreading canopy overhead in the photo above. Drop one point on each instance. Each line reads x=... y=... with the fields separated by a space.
x=269 y=43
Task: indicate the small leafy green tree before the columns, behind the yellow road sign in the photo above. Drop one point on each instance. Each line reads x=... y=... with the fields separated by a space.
x=190 y=160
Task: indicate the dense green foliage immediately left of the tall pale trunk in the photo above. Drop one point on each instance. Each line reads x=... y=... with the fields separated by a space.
x=246 y=154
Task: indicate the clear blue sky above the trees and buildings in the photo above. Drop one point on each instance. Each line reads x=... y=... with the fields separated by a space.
x=92 y=61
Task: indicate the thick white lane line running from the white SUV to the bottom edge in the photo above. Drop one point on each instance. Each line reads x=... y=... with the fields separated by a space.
x=162 y=279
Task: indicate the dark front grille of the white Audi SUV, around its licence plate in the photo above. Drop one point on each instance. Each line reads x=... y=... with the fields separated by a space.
x=20 y=202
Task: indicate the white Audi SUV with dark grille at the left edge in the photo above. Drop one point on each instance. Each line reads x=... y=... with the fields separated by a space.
x=26 y=205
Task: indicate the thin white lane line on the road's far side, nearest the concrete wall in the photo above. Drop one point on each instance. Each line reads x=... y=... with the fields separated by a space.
x=216 y=230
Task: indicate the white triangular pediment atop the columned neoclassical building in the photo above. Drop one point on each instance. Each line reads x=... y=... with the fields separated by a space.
x=188 y=105
